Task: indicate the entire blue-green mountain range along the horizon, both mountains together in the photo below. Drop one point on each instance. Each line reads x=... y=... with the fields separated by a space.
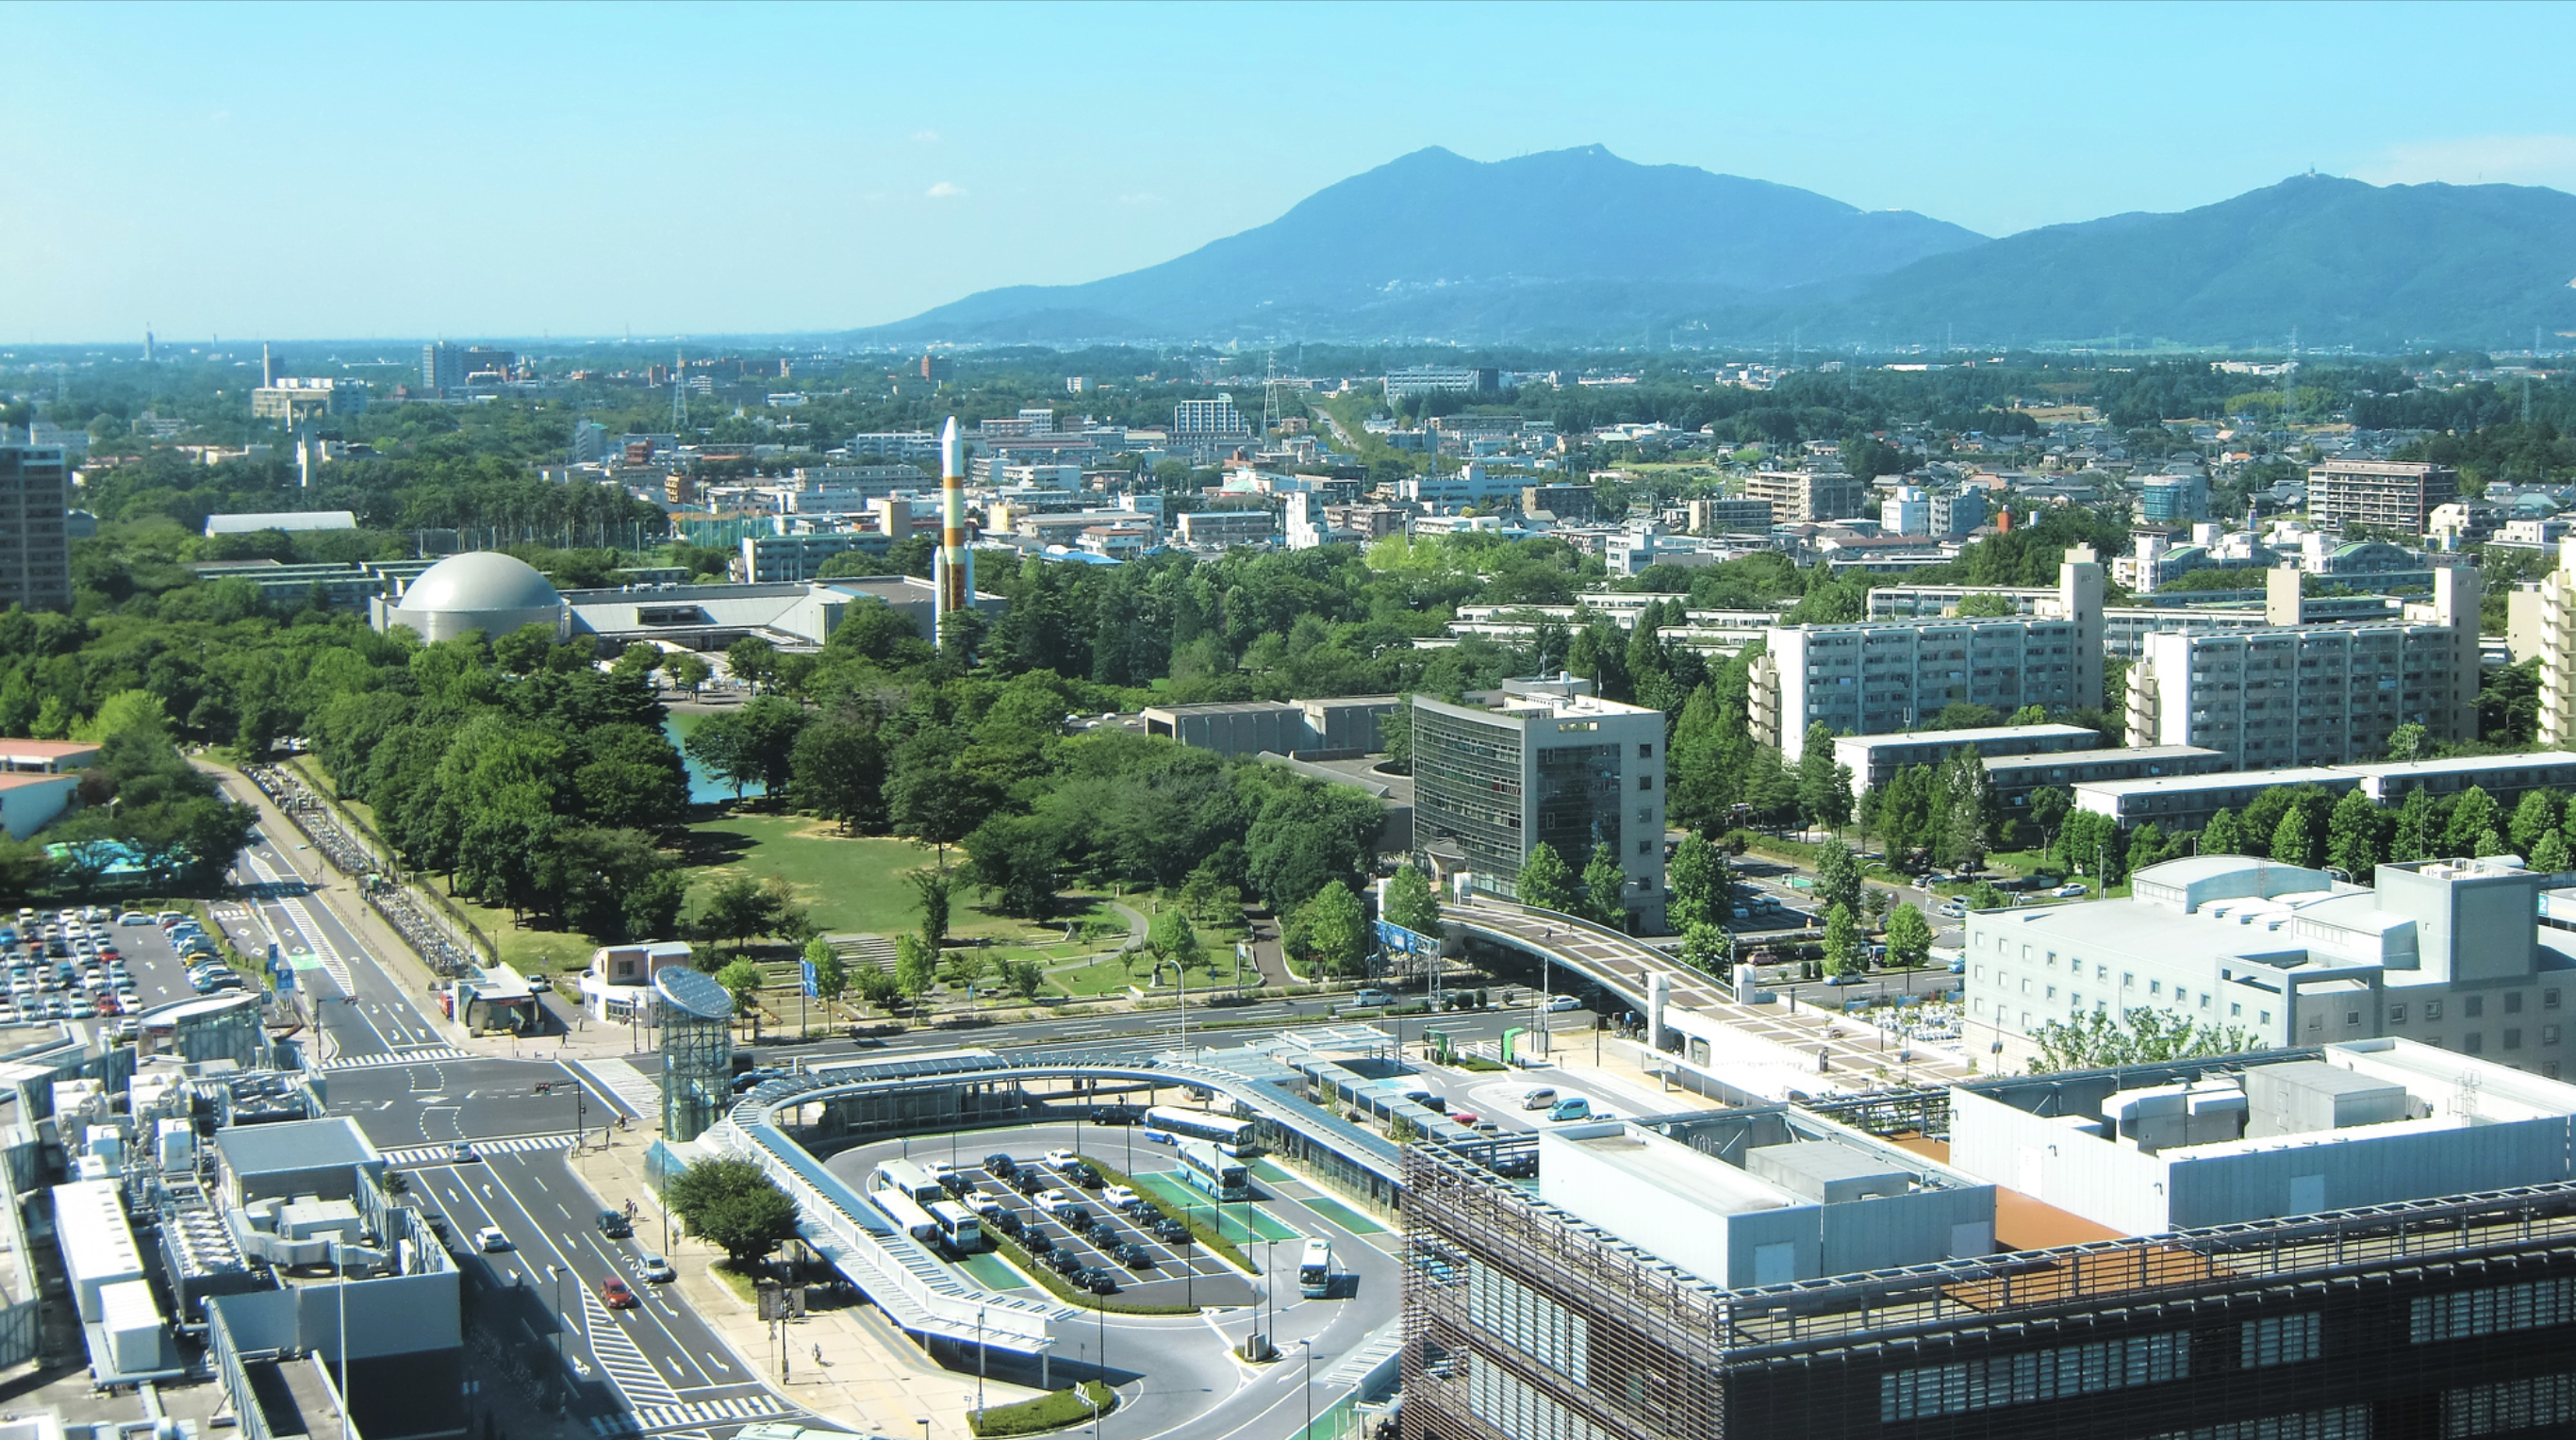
x=1580 y=246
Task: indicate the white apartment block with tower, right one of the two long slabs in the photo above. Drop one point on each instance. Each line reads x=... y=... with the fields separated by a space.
x=2315 y=694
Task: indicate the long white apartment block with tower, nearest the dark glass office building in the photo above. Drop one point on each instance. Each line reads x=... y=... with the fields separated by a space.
x=1895 y=676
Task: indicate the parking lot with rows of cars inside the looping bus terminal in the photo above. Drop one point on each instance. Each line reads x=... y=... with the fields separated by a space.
x=1176 y=1271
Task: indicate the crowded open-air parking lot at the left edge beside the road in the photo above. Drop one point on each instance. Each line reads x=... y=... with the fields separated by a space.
x=97 y=967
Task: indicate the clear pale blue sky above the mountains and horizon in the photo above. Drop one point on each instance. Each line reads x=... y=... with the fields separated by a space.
x=349 y=171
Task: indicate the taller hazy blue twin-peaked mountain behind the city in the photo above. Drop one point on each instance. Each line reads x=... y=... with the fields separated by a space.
x=1573 y=246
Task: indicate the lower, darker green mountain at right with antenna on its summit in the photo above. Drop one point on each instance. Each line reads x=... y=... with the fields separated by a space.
x=2340 y=261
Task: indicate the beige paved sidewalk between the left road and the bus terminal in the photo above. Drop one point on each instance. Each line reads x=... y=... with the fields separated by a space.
x=872 y=1374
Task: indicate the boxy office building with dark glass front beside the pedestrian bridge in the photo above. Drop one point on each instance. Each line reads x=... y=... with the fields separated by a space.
x=1549 y=764
